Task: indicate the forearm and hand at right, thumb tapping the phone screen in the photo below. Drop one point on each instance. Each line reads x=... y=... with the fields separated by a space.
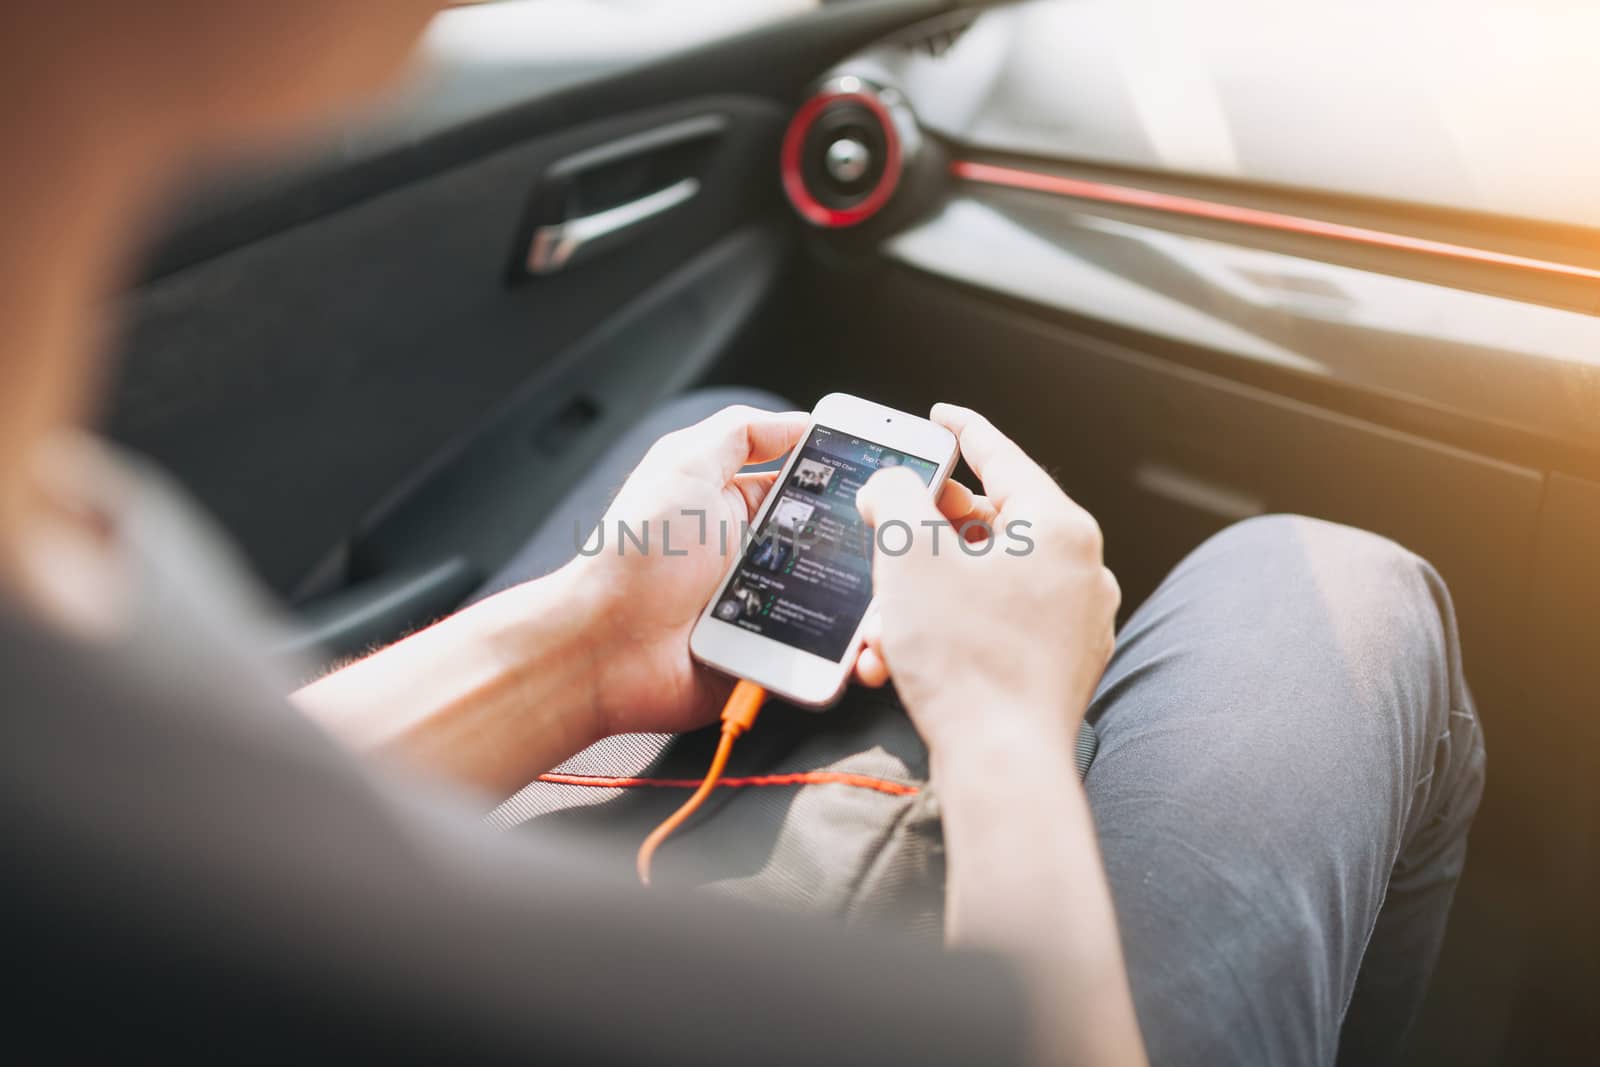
x=996 y=658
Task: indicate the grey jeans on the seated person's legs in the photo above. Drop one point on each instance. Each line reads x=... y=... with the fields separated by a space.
x=1287 y=773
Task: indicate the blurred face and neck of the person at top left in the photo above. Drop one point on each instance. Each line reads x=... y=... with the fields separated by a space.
x=102 y=105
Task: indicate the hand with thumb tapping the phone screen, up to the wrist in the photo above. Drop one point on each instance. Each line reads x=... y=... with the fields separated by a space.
x=1009 y=639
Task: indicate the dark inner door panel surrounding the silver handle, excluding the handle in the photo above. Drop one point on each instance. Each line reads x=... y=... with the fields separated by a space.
x=324 y=366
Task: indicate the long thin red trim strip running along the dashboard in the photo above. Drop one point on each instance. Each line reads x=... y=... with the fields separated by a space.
x=1103 y=193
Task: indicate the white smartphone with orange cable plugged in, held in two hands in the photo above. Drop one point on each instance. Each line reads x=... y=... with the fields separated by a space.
x=788 y=617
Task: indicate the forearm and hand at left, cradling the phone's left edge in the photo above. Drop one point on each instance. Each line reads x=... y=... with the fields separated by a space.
x=508 y=689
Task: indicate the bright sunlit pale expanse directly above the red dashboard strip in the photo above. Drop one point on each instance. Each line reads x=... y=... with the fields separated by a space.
x=1478 y=105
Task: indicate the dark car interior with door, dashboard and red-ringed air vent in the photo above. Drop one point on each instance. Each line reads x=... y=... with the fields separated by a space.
x=1204 y=262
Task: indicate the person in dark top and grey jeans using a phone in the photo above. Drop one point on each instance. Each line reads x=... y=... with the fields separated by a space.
x=1289 y=761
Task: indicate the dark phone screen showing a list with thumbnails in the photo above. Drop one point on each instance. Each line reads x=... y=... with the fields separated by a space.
x=806 y=578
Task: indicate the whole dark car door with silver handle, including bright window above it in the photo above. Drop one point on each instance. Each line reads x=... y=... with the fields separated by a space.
x=380 y=361
